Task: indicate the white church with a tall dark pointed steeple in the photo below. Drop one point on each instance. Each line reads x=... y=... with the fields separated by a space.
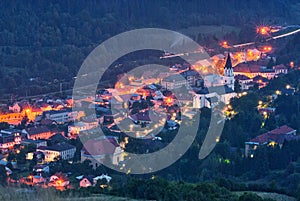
x=217 y=88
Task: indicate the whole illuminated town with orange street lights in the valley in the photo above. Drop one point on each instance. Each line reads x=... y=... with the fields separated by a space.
x=36 y=134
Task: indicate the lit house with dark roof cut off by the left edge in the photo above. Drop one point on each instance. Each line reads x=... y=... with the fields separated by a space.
x=9 y=138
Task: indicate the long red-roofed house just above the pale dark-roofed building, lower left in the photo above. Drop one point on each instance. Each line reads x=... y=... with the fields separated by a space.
x=38 y=132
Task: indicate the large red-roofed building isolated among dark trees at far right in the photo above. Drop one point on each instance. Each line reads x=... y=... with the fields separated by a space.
x=274 y=137
